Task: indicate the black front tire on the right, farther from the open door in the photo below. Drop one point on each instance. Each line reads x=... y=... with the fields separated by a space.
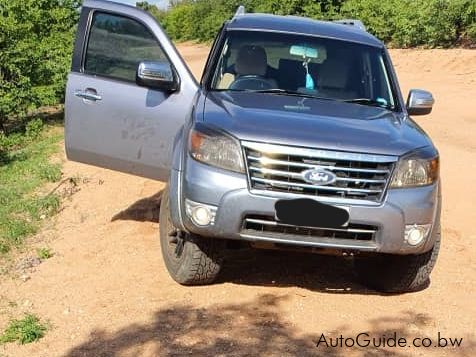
x=398 y=273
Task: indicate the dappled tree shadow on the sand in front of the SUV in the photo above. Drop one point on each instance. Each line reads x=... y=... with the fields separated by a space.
x=249 y=329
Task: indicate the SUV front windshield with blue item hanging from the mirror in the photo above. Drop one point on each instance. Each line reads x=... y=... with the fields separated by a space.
x=303 y=65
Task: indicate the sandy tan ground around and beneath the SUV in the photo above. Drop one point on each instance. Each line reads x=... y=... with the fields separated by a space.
x=106 y=291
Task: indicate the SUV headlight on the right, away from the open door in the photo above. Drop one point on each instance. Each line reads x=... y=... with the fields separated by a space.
x=417 y=169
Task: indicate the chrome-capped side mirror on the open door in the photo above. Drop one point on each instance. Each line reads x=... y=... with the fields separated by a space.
x=157 y=75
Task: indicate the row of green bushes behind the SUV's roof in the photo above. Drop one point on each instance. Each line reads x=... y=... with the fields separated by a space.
x=399 y=23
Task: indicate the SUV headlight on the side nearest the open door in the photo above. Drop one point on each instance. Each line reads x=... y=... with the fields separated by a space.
x=215 y=148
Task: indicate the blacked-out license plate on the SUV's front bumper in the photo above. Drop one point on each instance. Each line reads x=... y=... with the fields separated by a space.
x=311 y=213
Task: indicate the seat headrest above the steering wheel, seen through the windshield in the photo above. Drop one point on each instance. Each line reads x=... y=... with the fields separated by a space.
x=251 y=60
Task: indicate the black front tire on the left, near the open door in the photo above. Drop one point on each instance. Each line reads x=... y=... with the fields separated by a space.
x=189 y=259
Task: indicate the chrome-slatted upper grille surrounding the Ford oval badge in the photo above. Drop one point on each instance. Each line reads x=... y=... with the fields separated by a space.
x=280 y=168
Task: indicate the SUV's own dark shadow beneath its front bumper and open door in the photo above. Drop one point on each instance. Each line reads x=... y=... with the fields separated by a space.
x=259 y=267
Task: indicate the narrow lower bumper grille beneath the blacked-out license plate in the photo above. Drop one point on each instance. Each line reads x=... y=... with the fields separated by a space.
x=259 y=225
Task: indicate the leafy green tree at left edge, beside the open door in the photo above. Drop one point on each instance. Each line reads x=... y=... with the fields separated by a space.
x=36 y=38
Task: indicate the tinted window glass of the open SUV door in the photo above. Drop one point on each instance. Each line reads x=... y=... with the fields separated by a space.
x=117 y=45
